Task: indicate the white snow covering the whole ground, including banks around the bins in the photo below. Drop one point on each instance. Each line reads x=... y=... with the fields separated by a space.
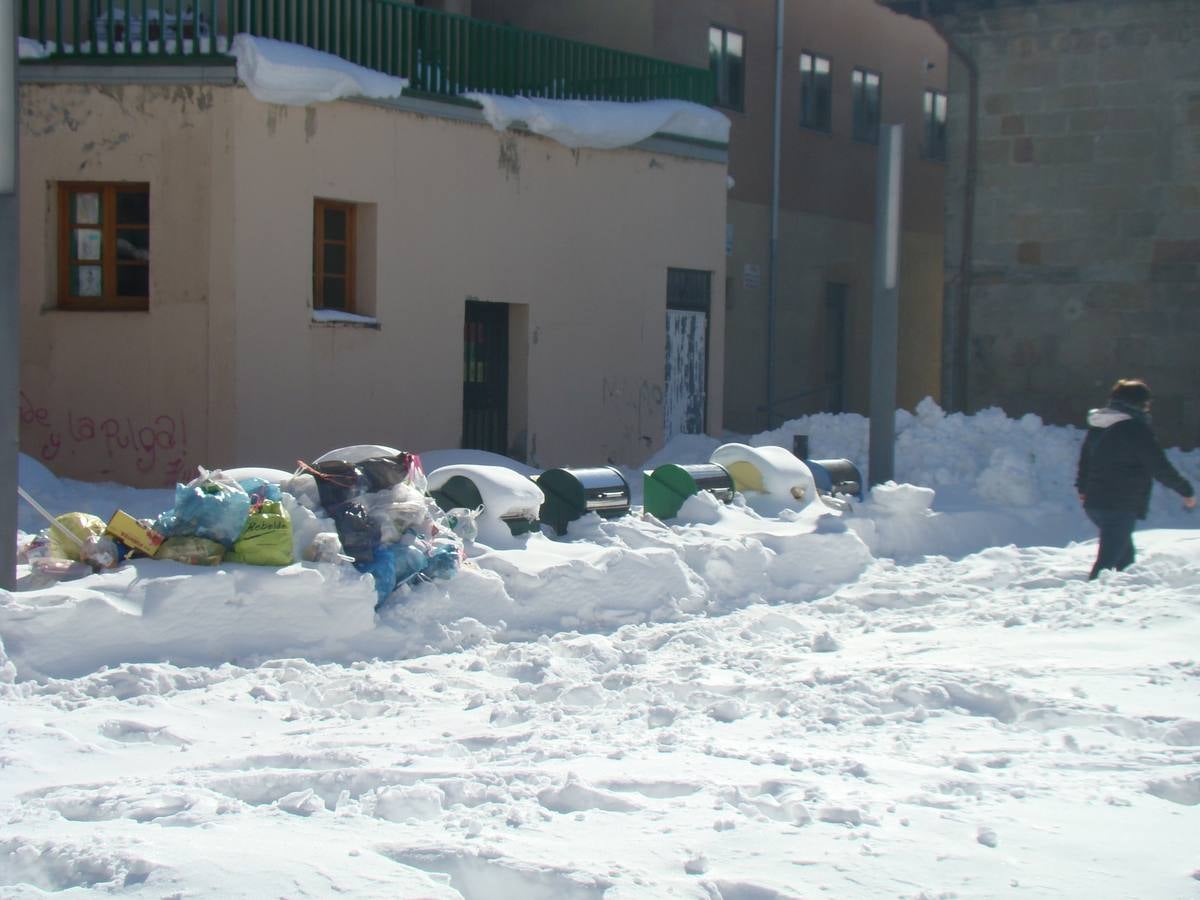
x=923 y=698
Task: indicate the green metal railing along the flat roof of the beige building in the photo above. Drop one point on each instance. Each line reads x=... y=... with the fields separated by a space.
x=439 y=53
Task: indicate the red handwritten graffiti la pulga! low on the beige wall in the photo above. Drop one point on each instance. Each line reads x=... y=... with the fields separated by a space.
x=154 y=445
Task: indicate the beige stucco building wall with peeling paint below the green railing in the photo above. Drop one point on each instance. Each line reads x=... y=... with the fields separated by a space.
x=231 y=363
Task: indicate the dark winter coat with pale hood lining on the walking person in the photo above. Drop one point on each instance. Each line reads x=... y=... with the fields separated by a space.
x=1119 y=460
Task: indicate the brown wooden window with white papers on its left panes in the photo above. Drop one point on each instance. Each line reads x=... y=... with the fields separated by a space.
x=104 y=245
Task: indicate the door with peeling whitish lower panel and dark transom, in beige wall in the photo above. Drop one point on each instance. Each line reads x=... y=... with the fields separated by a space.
x=687 y=352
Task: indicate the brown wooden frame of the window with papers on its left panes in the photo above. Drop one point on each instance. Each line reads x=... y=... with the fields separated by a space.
x=109 y=302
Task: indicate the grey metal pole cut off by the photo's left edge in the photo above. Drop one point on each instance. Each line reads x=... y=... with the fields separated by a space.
x=10 y=298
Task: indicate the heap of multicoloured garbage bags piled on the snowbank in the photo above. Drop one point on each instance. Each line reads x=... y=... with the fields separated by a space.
x=373 y=514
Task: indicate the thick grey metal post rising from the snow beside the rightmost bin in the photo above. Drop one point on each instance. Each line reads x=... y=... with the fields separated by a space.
x=885 y=305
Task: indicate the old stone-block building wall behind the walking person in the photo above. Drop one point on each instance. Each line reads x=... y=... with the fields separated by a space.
x=1073 y=205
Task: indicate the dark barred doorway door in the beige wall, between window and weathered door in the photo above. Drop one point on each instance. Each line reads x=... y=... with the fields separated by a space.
x=485 y=379
